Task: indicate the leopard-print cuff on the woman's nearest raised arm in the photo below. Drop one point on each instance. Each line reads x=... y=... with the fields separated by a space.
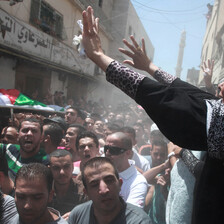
x=124 y=78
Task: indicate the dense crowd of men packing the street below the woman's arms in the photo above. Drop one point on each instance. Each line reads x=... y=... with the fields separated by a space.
x=88 y=162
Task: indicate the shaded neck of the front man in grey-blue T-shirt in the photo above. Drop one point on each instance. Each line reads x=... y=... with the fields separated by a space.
x=107 y=217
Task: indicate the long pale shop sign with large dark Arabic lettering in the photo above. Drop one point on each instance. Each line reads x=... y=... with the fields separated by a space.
x=23 y=37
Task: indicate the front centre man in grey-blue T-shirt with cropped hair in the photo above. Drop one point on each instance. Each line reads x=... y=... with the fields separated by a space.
x=102 y=185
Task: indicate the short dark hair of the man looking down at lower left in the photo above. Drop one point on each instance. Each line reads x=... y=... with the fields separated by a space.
x=32 y=171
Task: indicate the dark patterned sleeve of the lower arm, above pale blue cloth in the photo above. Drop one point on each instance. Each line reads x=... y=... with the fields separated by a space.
x=193 y=164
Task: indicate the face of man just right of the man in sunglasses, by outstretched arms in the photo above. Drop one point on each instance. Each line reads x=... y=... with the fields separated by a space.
x=158 y=155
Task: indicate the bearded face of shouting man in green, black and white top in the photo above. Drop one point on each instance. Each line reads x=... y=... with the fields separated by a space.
x=30 y=138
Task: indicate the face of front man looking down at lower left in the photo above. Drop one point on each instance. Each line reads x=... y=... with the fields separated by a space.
x=32 y=197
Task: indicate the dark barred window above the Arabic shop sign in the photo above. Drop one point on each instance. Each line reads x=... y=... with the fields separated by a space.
x=43 y=16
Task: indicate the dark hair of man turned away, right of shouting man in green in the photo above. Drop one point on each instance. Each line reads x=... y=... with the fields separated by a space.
x=55 y=131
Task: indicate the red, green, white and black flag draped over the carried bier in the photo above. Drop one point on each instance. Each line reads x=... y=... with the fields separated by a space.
x=12 y=97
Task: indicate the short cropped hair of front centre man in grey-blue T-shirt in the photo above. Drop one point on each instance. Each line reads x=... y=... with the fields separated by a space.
x=95 y=163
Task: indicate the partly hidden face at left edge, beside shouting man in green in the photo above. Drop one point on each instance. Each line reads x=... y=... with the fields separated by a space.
x=9 y=135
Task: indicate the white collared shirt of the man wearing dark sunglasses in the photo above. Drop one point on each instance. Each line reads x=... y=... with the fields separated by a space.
x=134 y=187
